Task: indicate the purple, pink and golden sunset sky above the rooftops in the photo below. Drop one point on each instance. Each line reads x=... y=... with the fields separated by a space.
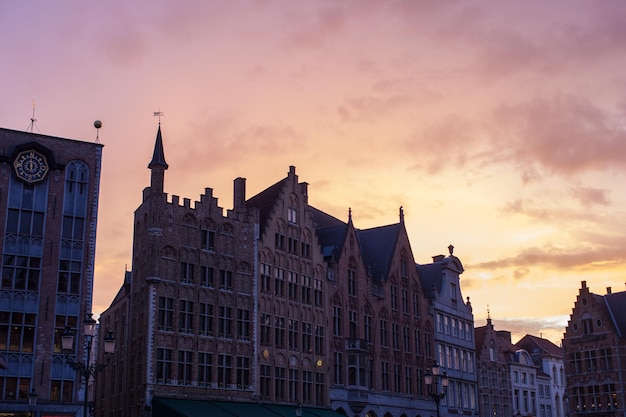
x=499 y=126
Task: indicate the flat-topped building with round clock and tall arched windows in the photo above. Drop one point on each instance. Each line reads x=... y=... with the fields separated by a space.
x=49 y=190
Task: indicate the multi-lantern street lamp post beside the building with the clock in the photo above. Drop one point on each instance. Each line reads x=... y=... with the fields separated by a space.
x=87 y=369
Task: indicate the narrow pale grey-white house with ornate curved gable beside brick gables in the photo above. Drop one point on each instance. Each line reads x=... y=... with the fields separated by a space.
x=454 y=332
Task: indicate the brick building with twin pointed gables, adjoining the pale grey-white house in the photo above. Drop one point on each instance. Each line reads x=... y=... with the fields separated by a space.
x=382 y=333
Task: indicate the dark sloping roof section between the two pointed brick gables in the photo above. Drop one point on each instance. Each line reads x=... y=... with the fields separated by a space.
x=378 y=245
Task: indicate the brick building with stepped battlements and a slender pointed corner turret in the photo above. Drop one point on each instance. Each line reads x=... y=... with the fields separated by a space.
x=186 y=313
